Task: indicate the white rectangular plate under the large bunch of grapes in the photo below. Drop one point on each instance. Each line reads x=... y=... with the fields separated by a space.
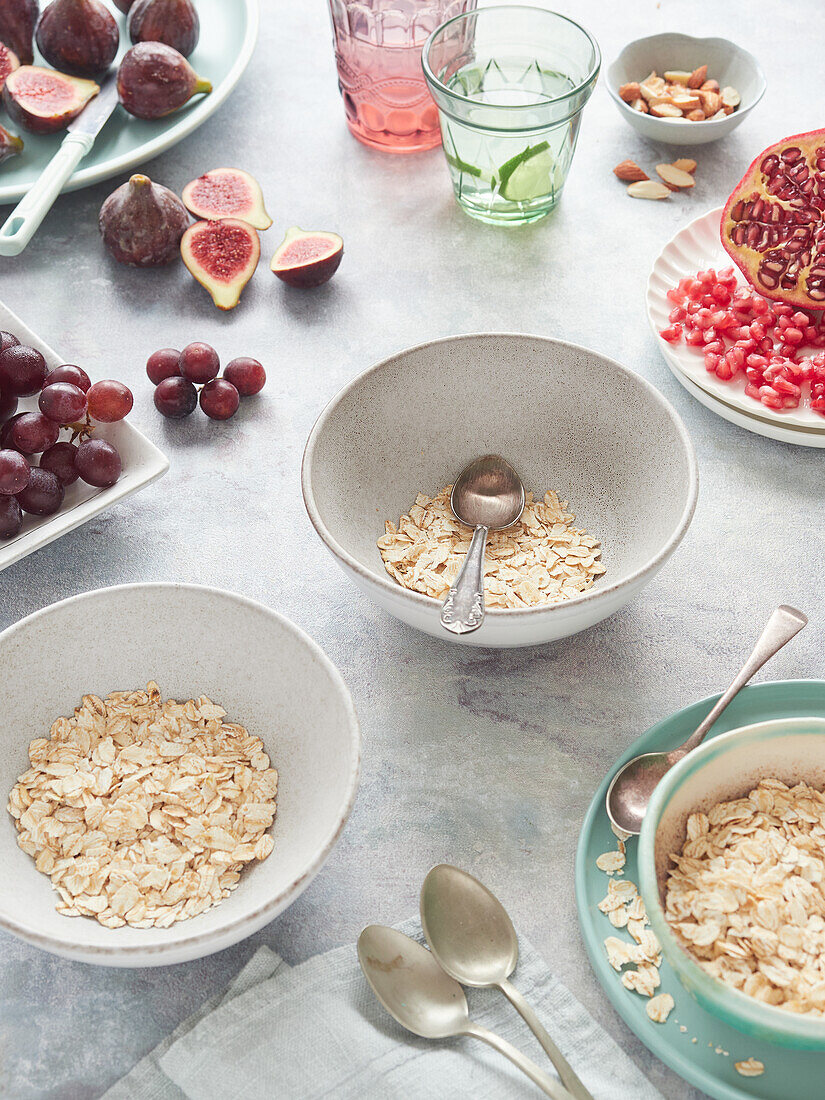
x=142 y=465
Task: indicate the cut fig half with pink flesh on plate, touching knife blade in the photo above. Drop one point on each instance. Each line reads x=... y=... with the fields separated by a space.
x=43 y=102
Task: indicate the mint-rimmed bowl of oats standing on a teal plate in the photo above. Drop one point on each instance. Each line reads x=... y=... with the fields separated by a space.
x=728 y=767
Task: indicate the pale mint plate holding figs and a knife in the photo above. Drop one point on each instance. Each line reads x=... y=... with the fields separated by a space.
x=228 y=35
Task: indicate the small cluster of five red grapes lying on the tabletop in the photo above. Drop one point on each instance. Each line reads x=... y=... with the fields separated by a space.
x=177 y=375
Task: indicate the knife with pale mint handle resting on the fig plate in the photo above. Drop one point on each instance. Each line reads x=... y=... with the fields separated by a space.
x=26 y=218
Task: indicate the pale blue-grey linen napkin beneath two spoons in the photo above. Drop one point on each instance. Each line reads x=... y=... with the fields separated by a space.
x=316 y=1031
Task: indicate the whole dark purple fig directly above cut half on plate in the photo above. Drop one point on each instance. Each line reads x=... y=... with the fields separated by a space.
x=79 y=37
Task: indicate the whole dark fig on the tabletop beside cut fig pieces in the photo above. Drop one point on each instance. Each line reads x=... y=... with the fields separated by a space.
x=142 y=224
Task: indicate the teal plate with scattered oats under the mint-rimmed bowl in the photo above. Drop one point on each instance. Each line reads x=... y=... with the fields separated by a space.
x=789 y=1075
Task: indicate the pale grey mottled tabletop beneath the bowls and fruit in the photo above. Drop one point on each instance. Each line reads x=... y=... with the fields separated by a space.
x=485 y=758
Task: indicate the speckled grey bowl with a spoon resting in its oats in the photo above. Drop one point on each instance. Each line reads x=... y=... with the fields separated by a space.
x=568 y=419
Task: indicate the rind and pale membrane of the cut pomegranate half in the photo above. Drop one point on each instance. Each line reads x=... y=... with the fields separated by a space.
x=750 y=260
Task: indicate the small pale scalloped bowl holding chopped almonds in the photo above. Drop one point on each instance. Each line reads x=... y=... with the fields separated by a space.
x=727 y=62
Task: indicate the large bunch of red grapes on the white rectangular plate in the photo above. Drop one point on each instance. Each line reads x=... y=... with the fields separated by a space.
x=67 y=400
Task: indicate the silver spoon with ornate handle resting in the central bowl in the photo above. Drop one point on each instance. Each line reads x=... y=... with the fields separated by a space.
x=488 y=496
